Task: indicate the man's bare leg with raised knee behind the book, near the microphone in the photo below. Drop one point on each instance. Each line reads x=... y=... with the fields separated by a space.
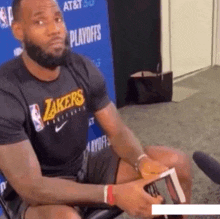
x=168 y=157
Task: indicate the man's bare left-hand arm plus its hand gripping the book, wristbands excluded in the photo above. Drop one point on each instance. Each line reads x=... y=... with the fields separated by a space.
x=20 y=166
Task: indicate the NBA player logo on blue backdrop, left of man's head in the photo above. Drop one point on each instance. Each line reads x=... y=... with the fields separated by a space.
x=6 y=17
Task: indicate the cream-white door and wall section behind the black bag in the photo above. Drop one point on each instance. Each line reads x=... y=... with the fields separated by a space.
x=188 y=45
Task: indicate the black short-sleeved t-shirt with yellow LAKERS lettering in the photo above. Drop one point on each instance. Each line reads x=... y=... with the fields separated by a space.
x=52 y=115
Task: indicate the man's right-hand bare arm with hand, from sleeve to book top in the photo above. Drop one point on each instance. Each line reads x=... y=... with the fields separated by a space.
x=123 y=141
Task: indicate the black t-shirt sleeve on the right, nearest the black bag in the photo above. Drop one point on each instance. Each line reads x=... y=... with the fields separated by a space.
x=98 y=92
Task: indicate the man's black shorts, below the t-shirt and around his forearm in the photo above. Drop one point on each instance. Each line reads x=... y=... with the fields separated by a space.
x=99 y=167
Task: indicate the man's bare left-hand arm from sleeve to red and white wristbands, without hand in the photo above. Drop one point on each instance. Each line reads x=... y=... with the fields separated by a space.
x=20 y=166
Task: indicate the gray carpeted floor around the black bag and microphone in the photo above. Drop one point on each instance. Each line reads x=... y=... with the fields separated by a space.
x=190 y=125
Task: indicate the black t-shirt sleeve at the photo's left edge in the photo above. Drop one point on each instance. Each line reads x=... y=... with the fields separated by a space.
x=12 y=118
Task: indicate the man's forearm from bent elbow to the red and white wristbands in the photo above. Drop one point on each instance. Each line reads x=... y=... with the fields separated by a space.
x=48 y=190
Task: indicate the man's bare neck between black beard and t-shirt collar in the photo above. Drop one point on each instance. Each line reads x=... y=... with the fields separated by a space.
x=38 y=71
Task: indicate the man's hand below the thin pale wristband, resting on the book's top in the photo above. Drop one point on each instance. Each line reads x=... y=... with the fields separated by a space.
x=147 y=167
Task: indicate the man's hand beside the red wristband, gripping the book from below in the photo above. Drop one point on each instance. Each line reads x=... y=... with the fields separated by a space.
x=133 y=199
